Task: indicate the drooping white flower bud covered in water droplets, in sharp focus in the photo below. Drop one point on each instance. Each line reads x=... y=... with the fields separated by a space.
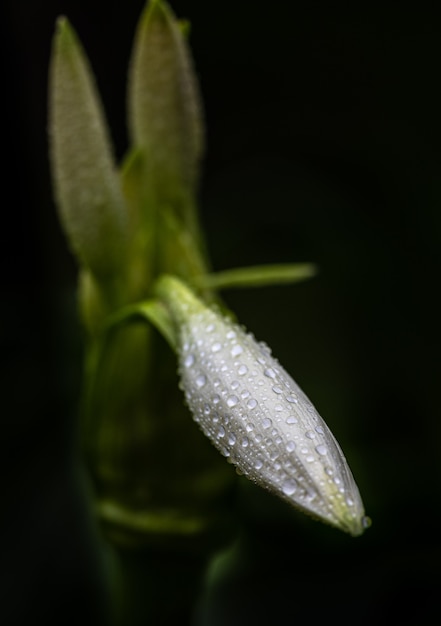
x=257 y=416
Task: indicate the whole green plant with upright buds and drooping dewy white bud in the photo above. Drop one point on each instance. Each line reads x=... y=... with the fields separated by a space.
x=144 y=267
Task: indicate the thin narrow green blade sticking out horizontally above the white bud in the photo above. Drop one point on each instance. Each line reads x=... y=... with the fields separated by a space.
x=257 y=276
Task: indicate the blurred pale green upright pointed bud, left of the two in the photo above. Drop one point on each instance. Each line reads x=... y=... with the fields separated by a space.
x=85 y=179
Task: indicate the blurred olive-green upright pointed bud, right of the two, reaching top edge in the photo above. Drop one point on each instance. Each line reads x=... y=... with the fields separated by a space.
x=164 y=105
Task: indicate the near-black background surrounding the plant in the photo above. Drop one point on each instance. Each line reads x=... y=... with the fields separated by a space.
x=323 y=145
